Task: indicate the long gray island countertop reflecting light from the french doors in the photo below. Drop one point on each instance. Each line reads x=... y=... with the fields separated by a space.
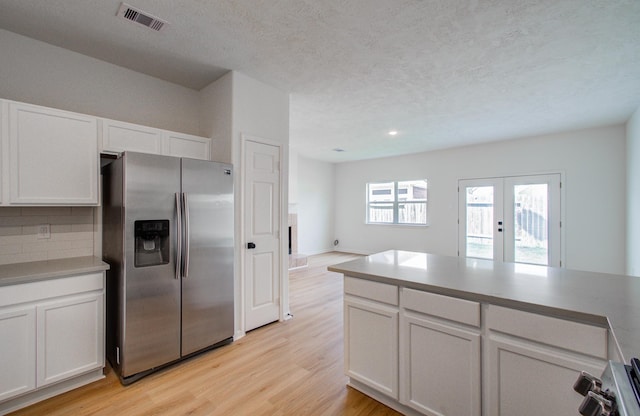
x=597 y=298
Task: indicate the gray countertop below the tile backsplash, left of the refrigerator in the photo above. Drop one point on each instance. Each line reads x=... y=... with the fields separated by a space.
x=11 y=274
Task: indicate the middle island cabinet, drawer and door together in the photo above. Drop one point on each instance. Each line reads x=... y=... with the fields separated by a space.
x=440 y=354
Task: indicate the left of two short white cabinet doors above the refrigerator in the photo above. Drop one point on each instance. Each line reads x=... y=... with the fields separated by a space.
x=119 y=137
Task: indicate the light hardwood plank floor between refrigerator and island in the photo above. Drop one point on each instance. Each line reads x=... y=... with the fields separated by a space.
x=285 y=368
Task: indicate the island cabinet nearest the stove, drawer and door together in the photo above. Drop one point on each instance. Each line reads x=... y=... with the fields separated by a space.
x=533 y=360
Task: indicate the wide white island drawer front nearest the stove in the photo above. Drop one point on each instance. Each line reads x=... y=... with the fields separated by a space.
x=569 y=335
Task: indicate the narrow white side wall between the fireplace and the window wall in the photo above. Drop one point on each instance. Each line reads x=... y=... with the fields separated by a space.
x=315 y=207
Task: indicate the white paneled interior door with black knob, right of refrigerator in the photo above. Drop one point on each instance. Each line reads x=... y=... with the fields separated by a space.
x=261 y=233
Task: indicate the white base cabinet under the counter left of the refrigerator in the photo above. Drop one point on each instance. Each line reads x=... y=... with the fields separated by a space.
x=51 y=337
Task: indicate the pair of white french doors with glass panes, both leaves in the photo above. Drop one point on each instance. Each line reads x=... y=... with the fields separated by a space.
x=513 y=219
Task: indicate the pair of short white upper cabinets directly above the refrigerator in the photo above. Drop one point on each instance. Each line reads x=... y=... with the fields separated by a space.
x=118 y=137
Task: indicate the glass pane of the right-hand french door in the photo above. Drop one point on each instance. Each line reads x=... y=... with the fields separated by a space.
x=531 y=215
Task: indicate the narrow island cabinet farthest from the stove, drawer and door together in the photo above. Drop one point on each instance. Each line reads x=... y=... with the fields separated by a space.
x=371 y=318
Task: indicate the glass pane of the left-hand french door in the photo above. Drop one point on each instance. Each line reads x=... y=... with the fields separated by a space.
x=479 y=238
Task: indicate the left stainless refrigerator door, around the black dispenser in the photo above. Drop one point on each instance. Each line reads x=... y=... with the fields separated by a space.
x=151 y=325
